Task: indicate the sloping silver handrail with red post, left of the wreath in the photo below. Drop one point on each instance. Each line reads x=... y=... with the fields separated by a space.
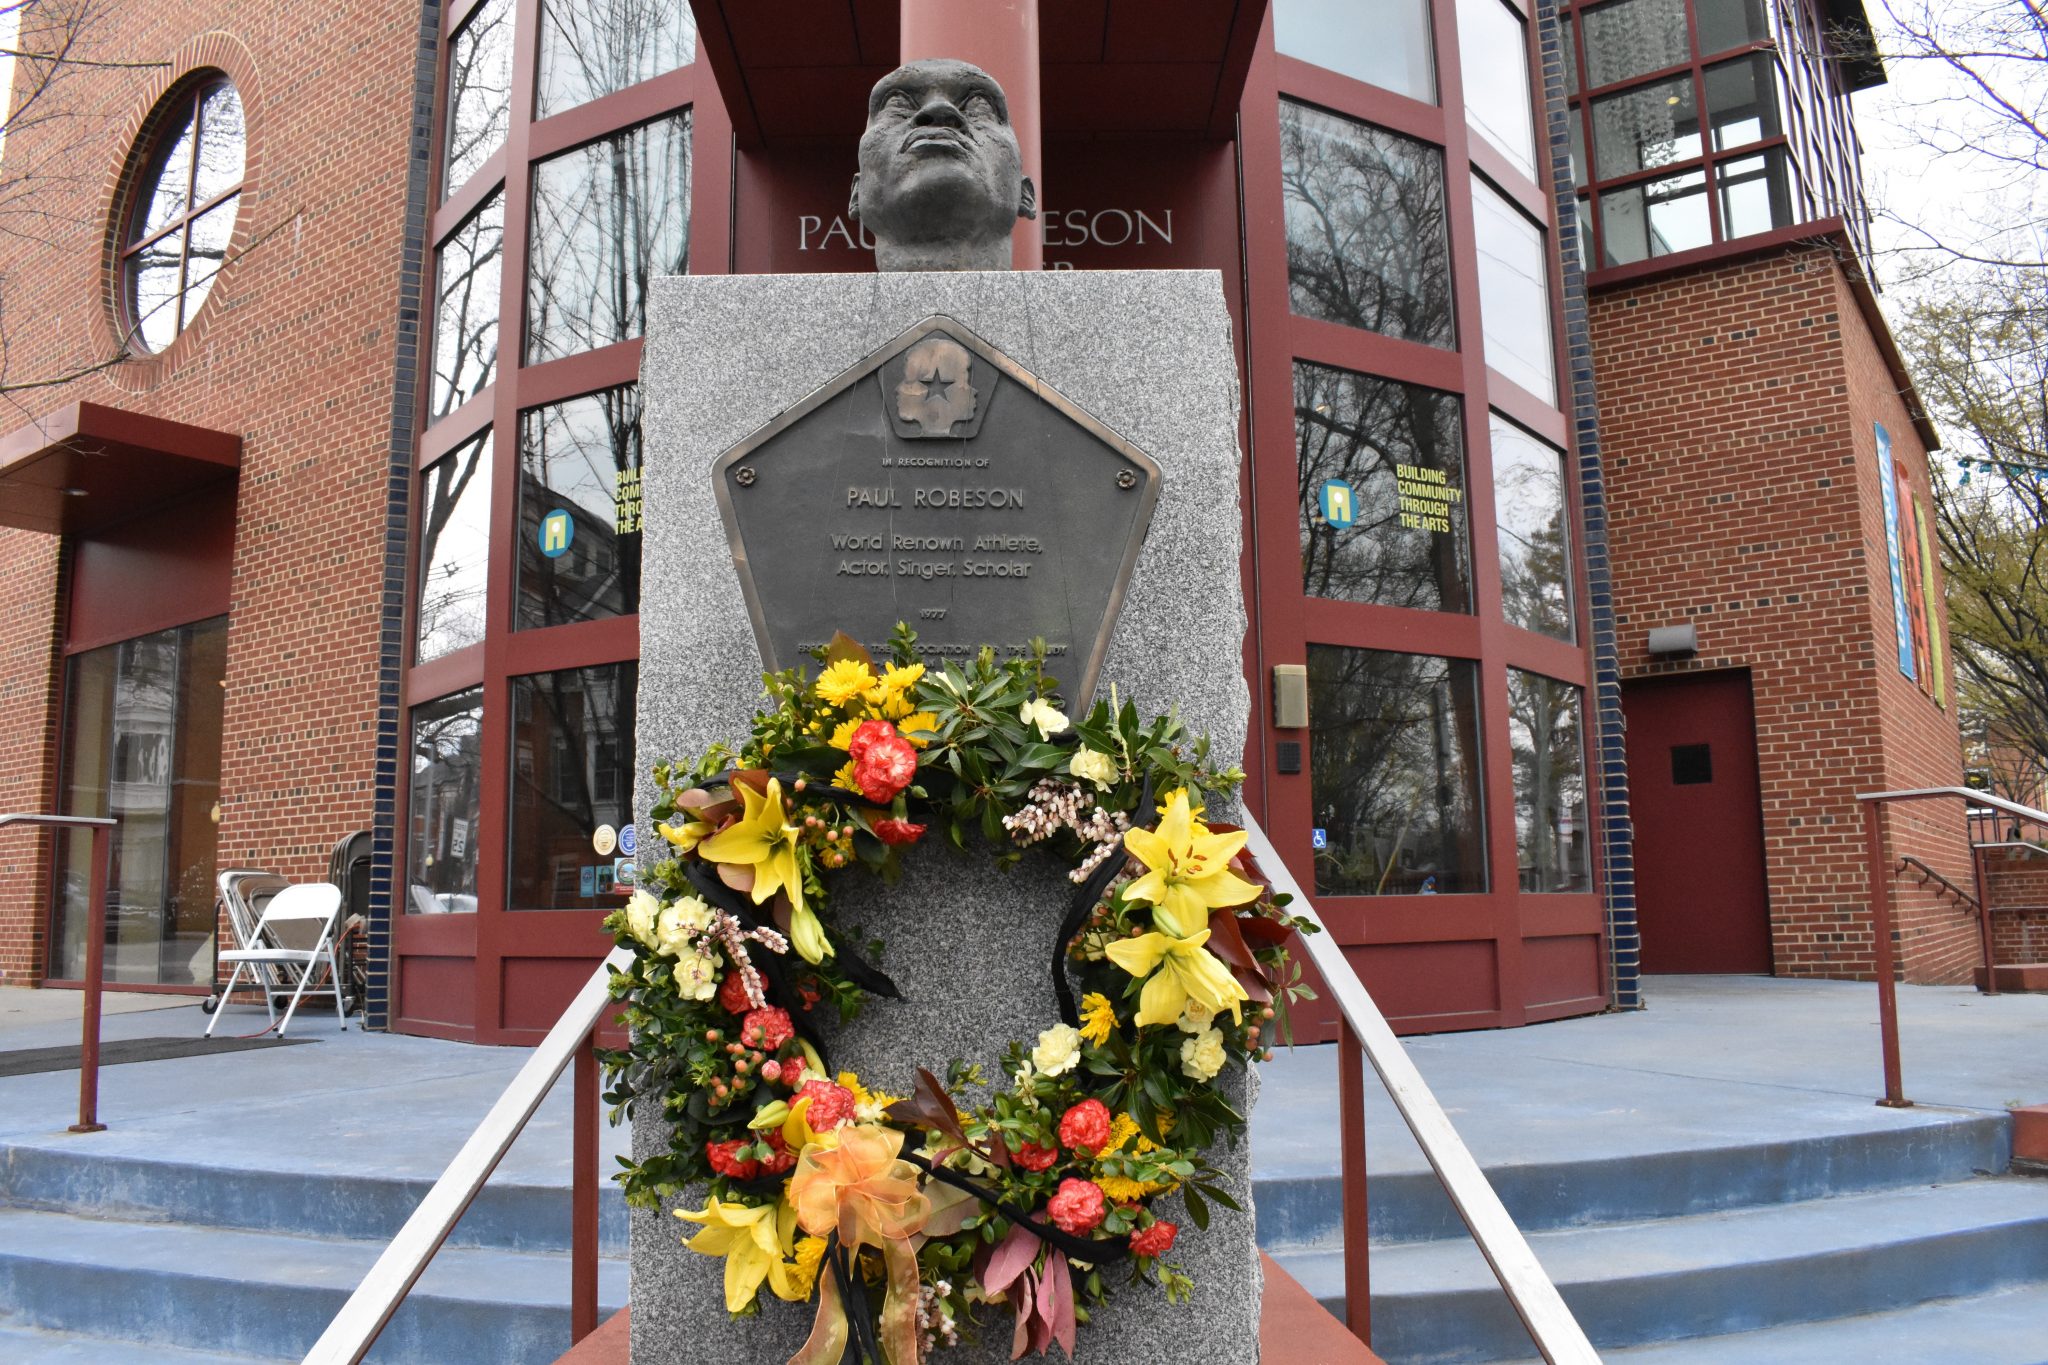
x=402 y=1264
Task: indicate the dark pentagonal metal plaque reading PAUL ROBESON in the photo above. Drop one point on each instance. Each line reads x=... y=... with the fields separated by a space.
x=939 y=484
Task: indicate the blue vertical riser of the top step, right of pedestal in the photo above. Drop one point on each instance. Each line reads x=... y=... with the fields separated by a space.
x=1410 y=1206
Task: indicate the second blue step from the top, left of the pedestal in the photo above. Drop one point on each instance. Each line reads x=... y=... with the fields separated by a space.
x=267 y=1294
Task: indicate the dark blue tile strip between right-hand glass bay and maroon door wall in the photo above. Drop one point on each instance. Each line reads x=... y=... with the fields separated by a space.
x=1611 y=758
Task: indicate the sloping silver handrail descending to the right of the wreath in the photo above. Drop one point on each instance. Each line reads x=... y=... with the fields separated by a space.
x=1535 y=1298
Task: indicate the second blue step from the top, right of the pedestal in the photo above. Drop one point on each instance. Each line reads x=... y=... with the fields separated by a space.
x=1711 y=1274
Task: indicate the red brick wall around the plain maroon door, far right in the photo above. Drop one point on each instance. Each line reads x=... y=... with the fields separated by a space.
x=1736 y=410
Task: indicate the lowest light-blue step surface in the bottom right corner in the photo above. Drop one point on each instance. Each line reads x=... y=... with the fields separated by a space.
x=1983 y=1329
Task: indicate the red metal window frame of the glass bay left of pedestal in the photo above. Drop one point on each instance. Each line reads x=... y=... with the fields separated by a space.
x=499 y=934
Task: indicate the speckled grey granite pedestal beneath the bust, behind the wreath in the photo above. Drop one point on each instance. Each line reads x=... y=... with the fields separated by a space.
x=1150 y=357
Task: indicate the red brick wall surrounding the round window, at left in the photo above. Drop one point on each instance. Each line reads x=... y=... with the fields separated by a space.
x=294 y=351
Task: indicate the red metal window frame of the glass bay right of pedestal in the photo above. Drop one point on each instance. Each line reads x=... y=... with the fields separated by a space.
x=1287 y=621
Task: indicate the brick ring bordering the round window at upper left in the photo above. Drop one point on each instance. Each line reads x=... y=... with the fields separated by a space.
x=196 y=58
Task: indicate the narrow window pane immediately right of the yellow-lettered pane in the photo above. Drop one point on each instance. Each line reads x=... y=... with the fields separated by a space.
x=1529 y=511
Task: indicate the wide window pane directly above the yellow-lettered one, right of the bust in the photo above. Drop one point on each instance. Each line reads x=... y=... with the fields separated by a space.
x=1367 y=240
